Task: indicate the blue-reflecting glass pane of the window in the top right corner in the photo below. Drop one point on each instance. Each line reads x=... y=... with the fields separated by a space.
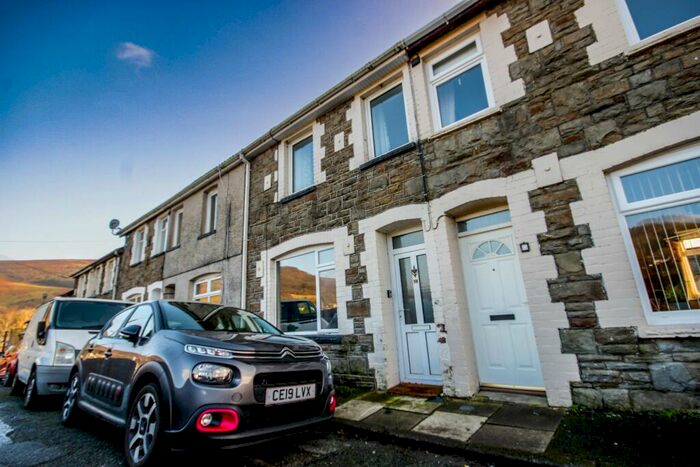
x=650 y=16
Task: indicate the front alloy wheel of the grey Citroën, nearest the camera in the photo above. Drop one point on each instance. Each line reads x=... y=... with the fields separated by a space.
x=142 y=443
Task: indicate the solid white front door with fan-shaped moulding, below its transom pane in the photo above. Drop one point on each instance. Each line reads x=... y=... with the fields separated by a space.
x=501 y=325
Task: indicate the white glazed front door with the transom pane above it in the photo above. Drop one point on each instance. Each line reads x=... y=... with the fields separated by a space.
x=419 y=353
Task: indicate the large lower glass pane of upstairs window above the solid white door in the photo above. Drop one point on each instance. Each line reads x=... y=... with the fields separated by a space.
x=462 y=96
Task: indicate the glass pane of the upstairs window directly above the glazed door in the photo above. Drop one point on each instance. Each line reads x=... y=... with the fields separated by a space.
x=389 y=130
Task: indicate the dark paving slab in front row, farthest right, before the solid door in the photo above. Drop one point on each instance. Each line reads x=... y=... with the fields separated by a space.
x=508 y=437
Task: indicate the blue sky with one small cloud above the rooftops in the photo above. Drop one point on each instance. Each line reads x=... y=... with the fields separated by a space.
x=107 y=108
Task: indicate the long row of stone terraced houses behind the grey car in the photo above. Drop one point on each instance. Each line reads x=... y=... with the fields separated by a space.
x=508 y=199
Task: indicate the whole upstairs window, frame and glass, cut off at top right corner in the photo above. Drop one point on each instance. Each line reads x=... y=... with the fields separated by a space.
x=644 y=19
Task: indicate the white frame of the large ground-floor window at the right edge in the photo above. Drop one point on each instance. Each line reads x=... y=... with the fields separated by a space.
x=624 y=209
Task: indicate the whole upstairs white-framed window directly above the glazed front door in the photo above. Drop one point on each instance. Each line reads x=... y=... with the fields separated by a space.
x=387 y=123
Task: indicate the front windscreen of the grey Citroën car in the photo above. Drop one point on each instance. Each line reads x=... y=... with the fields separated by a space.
x=184 y=316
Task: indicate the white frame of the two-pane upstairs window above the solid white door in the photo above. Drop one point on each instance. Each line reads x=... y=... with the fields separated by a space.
x=434 y=81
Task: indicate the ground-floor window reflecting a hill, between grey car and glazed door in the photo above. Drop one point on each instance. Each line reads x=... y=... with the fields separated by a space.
x=307 y=292
